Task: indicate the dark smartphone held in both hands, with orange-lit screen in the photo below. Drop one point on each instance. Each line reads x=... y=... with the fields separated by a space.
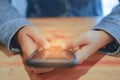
x=55 y=57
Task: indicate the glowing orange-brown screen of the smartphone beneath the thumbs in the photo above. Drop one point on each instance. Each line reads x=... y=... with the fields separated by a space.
x=54 y=52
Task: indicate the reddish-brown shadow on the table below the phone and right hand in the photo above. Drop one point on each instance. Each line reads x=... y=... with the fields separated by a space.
x=74 y=73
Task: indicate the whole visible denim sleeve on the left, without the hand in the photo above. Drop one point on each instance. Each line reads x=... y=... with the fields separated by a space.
x=10 y=22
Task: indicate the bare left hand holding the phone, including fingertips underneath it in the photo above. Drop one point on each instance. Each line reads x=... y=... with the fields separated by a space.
x=29 y=39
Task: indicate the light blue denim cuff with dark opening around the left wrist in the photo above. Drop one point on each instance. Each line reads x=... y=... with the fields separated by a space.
x=9 y=30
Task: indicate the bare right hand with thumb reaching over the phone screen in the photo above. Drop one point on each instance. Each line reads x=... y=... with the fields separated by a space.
x=88 y=43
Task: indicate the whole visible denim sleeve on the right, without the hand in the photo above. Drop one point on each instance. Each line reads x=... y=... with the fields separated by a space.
x=111 y=25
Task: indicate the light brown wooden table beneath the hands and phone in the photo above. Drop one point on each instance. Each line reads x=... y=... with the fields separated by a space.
x=96 y=67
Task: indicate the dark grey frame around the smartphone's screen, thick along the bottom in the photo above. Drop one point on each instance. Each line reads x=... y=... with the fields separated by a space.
x=47 y=63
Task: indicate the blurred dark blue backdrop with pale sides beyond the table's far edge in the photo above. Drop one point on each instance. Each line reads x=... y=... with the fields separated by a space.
x=37 y=8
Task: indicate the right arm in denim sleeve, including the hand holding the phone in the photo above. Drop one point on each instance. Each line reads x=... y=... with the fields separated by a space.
x=104 y=37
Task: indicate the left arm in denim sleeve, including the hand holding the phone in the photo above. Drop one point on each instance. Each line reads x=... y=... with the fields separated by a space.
x=15 y=29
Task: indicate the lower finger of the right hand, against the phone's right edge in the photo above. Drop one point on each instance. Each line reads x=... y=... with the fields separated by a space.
x=83 y=53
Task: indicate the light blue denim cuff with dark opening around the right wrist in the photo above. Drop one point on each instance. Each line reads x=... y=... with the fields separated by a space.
x=112 y=29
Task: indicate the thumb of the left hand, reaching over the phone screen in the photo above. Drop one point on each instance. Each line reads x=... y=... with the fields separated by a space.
x=39 y=39
